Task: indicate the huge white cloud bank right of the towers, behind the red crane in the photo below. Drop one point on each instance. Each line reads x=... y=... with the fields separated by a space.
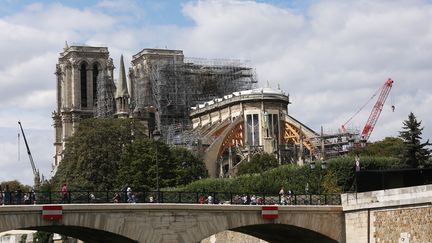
x=330 y=59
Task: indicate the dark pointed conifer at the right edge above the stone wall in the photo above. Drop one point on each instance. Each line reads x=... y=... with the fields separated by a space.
x=414 y=153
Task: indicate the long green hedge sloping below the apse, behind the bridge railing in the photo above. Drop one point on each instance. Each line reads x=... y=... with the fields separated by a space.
x=338 y=177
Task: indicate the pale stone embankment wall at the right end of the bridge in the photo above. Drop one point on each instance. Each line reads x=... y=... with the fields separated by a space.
x=397 y=215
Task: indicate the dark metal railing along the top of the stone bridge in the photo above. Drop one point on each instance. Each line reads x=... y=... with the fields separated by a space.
x=77 y=197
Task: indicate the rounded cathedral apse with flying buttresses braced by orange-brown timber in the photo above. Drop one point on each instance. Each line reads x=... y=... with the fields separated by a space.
x=236 y=126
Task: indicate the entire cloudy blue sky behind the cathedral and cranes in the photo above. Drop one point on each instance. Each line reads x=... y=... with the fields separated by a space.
x=329 y=55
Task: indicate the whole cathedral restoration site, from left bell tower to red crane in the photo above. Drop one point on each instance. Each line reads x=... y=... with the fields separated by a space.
x=211 y=106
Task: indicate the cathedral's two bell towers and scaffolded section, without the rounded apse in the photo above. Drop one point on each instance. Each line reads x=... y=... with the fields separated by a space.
x=161 y=87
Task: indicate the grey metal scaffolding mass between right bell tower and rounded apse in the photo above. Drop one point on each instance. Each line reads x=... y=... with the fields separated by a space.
x=169 y=86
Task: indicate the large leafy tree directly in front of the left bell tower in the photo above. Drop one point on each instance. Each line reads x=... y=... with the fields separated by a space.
x=93 y=152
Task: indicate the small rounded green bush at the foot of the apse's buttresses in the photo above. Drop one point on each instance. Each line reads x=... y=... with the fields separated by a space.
x=258 y=164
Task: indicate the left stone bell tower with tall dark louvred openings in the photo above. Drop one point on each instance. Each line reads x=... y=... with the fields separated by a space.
x=80 y=71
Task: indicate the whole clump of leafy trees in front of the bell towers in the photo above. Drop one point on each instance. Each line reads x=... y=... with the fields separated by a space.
x=106 y=154
